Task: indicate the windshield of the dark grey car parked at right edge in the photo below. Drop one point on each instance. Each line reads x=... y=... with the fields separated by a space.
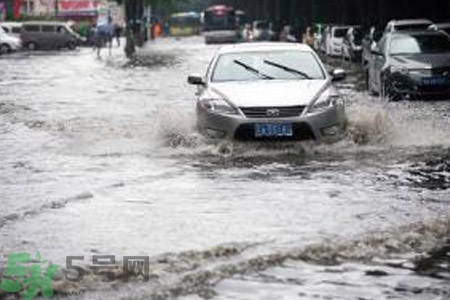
x=420 y=44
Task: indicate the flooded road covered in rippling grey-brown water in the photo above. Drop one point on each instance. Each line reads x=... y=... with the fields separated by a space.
x=101 y=157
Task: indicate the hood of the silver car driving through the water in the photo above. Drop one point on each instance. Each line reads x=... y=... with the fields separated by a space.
x=270 y=92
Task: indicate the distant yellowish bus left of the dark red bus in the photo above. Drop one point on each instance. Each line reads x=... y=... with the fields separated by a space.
x=184 y=24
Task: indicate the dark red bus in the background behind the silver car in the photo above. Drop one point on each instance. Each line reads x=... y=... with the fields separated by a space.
x=220 y=24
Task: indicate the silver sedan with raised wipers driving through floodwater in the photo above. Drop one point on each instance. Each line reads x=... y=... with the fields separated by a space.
x=269 y=91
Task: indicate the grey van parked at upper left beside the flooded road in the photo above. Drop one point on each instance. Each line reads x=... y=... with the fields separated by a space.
x=48 y=35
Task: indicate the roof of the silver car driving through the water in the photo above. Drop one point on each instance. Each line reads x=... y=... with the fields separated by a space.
x=264 y=46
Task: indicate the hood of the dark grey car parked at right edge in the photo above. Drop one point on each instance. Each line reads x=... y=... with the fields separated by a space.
x=420 y=61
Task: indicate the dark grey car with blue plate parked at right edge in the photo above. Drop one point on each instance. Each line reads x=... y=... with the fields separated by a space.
x=411 y=64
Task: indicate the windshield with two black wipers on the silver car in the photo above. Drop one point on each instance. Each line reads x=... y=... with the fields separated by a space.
x=281 y=65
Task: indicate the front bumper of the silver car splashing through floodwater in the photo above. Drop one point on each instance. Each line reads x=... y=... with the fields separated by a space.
x=325 y=125
